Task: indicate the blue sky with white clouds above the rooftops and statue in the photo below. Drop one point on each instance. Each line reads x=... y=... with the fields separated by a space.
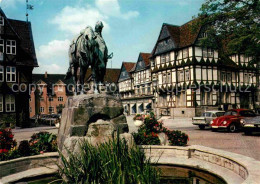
x=131 y=26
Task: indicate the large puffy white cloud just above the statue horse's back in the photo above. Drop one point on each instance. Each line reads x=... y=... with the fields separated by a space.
x=73 y=19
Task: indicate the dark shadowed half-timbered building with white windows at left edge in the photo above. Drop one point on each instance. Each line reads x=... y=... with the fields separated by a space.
x=17 y=60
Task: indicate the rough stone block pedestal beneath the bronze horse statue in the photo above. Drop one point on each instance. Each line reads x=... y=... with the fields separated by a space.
x=93 y=117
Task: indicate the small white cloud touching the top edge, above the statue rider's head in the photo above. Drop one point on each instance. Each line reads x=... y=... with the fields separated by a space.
x=112 y=8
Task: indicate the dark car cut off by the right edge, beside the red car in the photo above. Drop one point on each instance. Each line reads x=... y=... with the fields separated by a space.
x=251 y=124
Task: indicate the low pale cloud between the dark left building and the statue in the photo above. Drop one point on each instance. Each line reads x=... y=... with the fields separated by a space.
x=53 y=57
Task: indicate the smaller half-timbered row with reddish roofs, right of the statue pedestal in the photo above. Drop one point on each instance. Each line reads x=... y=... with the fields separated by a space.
x=135 y=86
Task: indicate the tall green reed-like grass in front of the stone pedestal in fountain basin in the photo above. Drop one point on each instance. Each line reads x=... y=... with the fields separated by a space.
x=112 y=162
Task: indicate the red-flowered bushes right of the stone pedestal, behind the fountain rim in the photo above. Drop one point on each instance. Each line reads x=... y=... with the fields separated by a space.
x=147 y=133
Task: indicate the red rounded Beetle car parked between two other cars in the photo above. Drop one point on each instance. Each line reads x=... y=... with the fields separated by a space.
x=231 y=120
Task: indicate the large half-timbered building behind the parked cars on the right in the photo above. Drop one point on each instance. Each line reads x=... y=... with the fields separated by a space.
x=188 y=79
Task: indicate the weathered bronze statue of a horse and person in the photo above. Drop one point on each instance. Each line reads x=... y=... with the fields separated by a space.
x=88 y=49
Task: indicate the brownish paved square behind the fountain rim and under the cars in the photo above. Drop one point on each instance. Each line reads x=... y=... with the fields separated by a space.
x=233 y=142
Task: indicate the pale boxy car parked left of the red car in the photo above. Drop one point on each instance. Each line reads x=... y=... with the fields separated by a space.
x=206 y=117
